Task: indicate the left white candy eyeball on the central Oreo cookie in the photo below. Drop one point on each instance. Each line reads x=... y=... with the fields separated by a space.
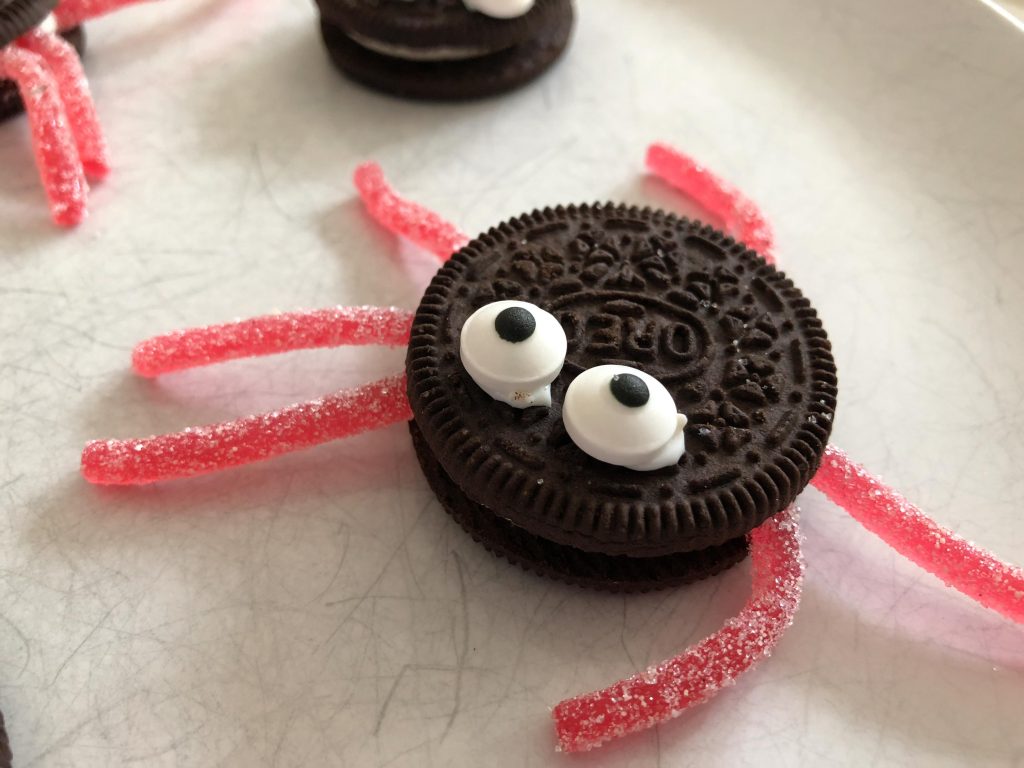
x=514 y=351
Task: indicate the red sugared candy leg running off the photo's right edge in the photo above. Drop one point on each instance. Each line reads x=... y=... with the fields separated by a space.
x=961 y=565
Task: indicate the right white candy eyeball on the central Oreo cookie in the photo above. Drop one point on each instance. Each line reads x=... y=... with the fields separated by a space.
x=623 y=416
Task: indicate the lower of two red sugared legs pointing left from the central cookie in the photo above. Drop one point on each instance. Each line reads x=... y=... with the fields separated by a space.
x=203 y=450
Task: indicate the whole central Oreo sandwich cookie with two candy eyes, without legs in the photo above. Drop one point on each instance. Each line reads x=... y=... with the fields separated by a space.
x=676 y=391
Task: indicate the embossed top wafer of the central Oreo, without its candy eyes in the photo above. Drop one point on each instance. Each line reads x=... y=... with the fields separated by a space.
x=737 y=345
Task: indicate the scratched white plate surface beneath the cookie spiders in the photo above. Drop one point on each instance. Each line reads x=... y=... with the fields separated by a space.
x=322 y=610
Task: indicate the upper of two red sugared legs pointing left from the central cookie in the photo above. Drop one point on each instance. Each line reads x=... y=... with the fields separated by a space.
x=272 y=334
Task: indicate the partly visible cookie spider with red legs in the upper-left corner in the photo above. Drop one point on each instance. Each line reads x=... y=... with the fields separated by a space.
x=47 y=70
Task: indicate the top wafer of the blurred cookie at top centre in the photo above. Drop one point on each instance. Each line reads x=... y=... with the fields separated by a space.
x=430 y=24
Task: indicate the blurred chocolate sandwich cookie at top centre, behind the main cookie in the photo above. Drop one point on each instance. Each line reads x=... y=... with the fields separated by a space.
x=445 y=50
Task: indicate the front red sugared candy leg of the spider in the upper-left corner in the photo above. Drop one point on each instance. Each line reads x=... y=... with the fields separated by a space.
x=57 y=156
